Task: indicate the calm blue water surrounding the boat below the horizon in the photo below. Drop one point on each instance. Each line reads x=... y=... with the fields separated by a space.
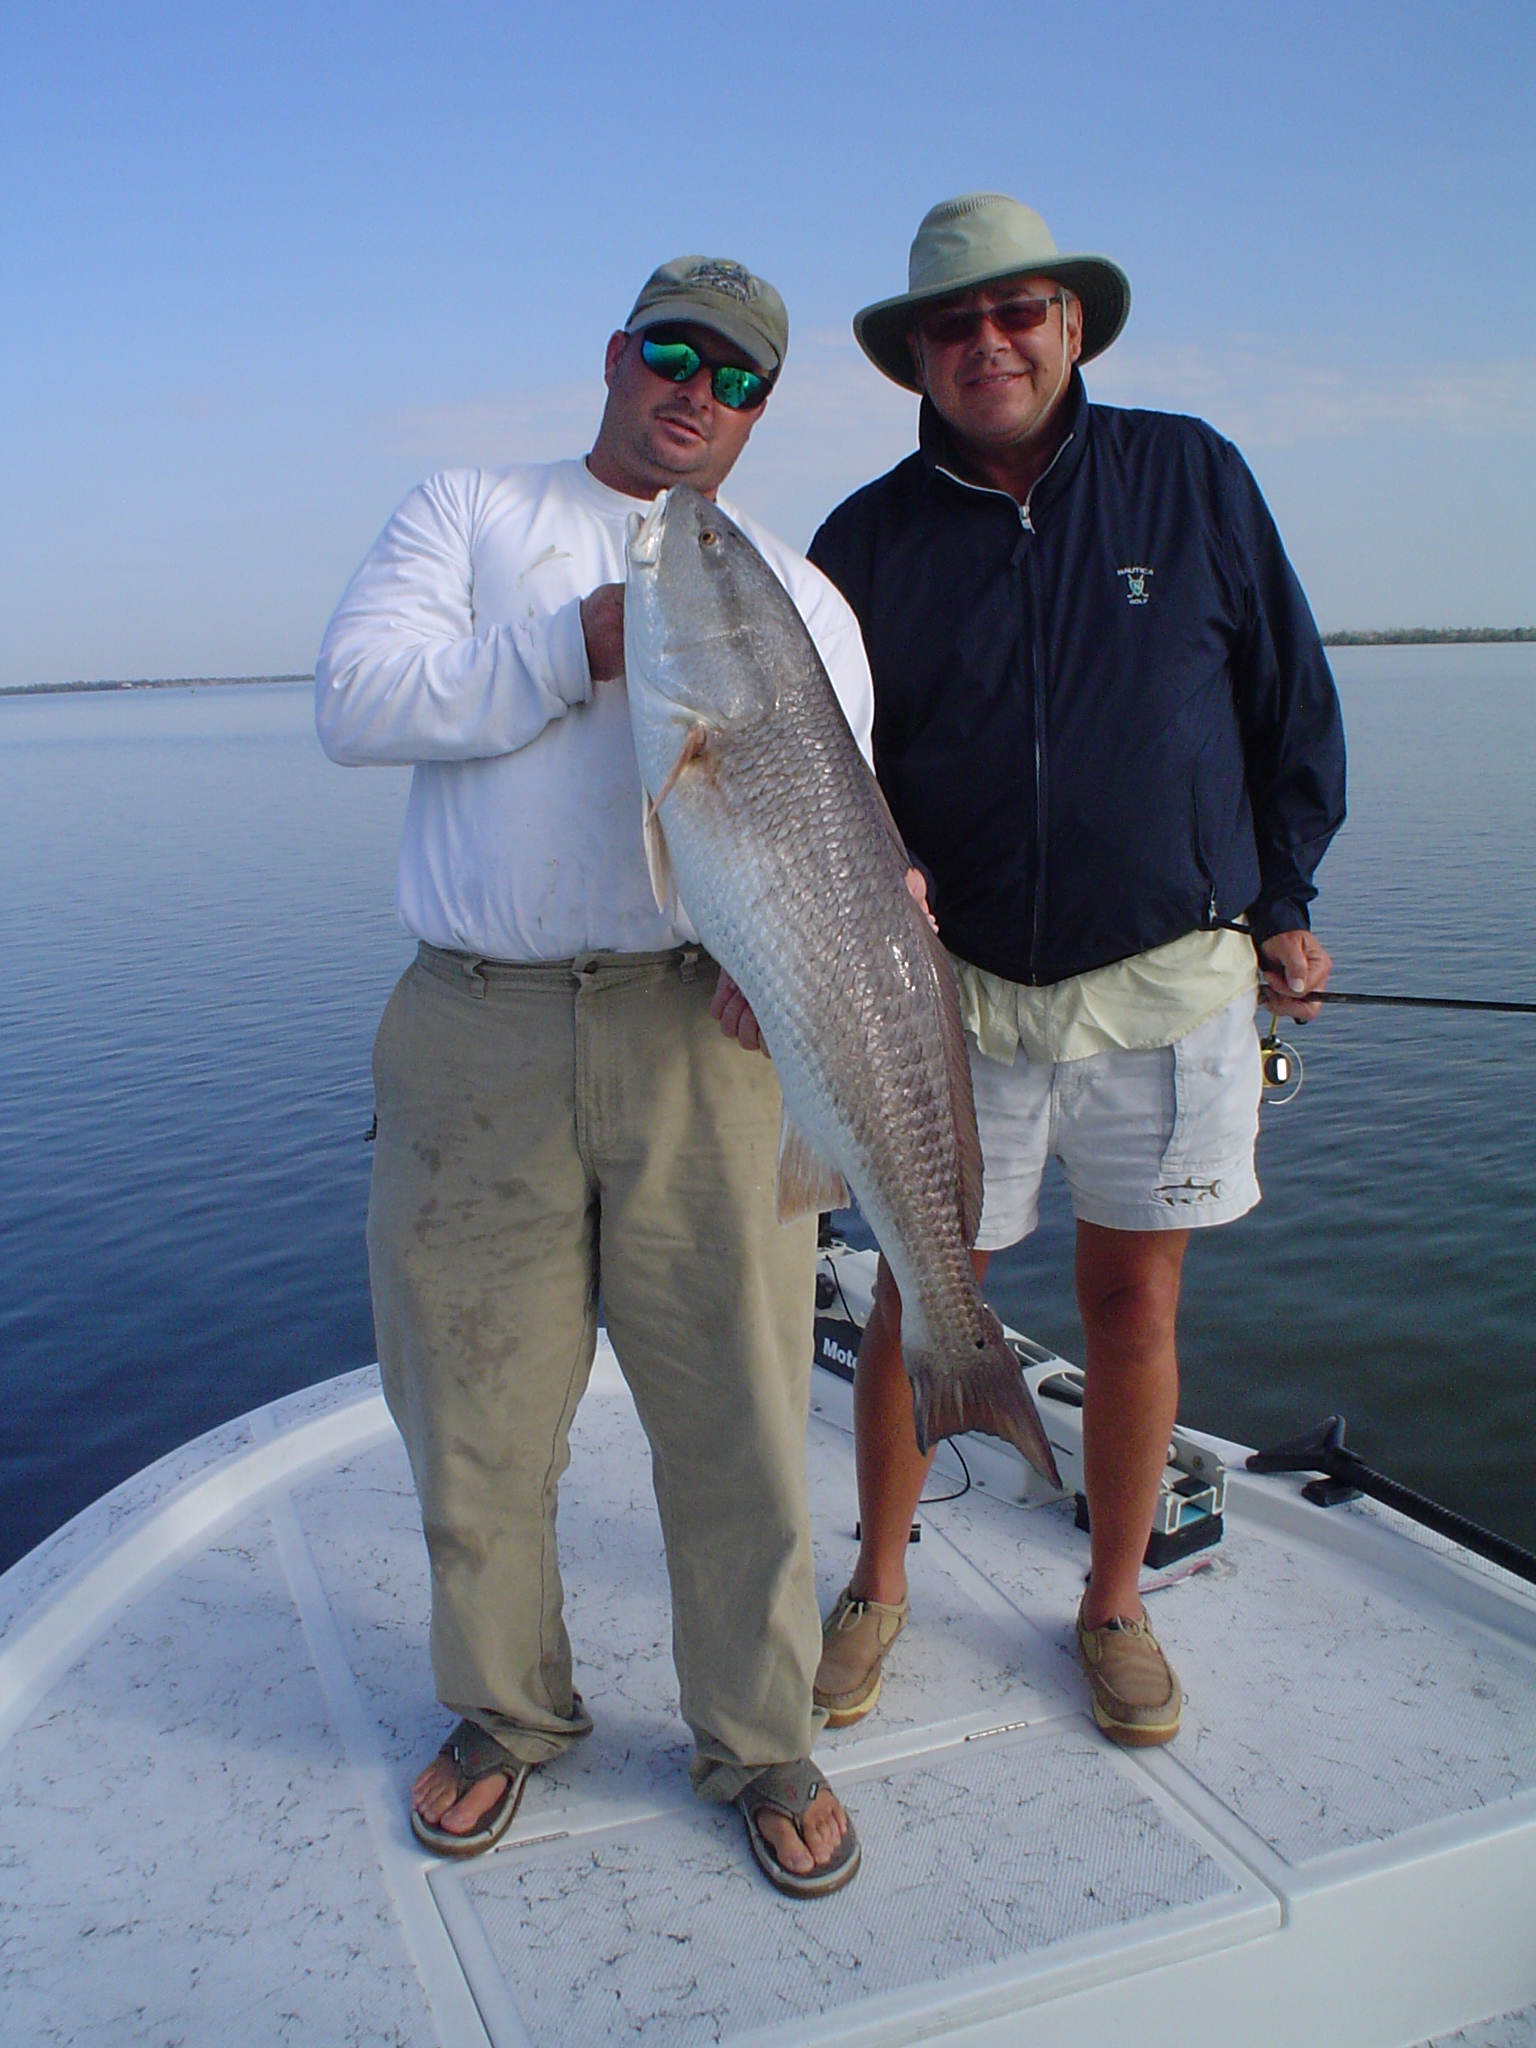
x=200 y=939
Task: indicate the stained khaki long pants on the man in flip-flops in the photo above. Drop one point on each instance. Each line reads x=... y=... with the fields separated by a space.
x=548 y=1132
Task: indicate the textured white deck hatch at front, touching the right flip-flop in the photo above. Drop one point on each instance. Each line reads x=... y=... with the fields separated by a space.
x=982 y=1865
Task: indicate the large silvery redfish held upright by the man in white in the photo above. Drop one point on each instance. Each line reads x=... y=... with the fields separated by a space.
x=771 y=830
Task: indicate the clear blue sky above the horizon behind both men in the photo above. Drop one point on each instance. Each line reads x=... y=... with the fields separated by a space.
x=269 y=265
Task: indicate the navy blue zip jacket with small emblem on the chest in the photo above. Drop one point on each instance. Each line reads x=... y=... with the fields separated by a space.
x=1105 y=720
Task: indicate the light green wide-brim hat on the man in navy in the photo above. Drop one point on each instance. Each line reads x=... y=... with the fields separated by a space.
x=976 y=241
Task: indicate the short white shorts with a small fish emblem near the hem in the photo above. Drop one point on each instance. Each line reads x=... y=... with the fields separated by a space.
x=1150 y=1142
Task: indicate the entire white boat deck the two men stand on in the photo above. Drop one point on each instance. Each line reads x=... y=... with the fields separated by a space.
x=214 y=1693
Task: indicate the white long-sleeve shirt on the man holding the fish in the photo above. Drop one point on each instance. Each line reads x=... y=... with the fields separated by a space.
x=460 y=648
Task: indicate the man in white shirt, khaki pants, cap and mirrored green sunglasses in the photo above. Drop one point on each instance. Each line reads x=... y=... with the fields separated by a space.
x=560 y=1113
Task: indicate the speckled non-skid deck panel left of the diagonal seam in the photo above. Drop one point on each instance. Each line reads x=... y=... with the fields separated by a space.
x=183 y=1857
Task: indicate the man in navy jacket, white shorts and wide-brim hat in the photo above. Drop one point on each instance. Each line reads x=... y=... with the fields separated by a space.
x=1111 y=738
